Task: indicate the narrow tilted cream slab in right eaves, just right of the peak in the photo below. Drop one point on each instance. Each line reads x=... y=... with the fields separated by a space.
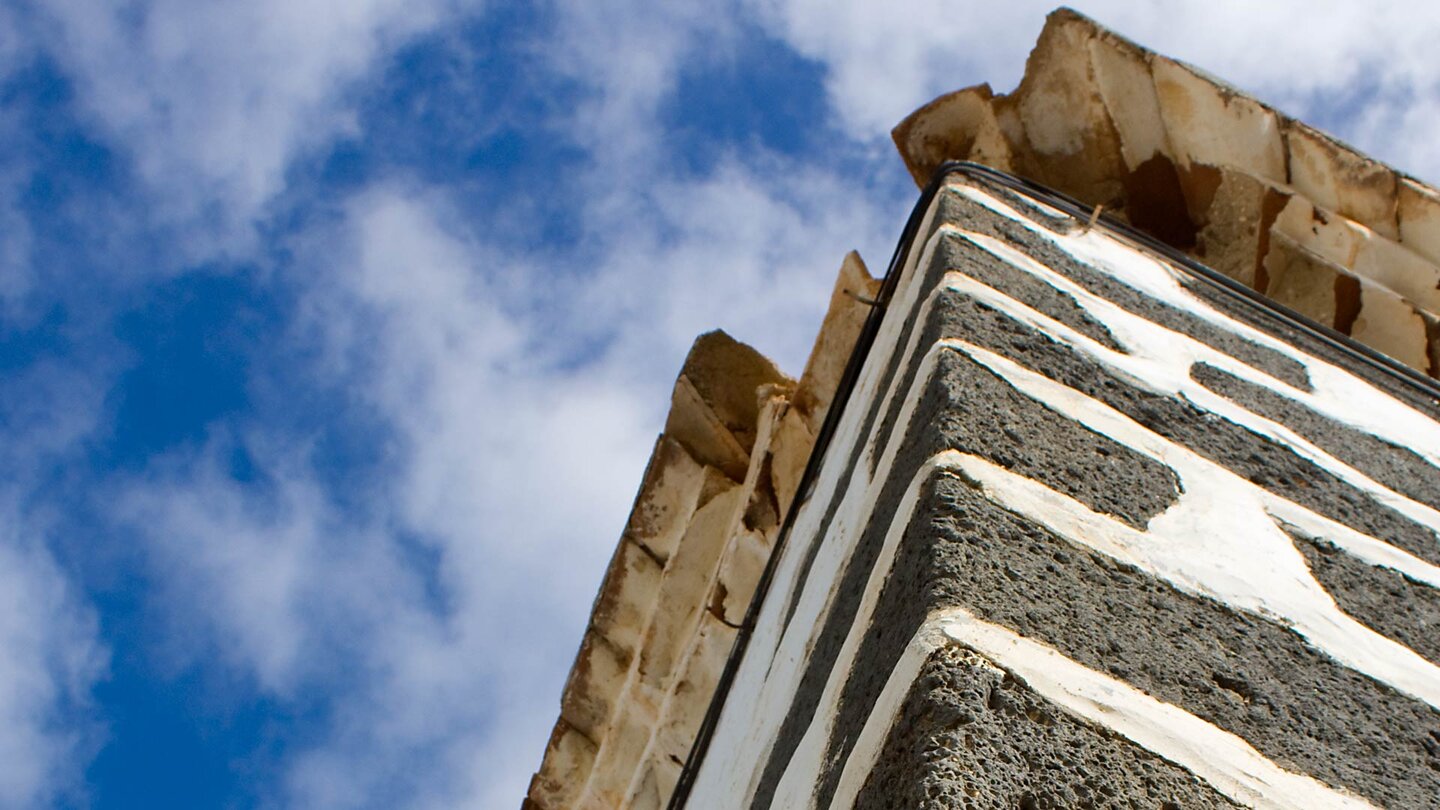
x=1128 y=90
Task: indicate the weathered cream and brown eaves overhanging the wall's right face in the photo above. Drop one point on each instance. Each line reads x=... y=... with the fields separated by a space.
x=1209 y=171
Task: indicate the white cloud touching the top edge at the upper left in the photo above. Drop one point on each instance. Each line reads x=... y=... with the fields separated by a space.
x=214 y=100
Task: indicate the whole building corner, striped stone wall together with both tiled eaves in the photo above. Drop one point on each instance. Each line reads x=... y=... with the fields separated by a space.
x=1030 y=351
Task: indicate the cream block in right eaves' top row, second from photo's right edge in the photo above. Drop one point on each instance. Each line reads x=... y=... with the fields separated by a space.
x=1338 y=179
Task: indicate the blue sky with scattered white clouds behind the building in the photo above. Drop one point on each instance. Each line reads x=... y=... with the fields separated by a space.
x=335 y=337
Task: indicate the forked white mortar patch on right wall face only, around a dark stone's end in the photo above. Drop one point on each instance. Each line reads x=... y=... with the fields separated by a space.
x=1218 y=541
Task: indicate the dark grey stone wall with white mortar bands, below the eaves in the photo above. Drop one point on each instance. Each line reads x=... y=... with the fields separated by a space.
x=1095 y=534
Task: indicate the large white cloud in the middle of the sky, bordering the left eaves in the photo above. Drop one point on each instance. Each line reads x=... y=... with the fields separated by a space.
x=510 y=463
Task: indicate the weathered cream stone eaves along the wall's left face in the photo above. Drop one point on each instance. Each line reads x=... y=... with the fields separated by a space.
x=699 y=537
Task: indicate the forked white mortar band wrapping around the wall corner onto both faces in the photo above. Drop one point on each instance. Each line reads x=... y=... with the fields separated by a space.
x=1218 y=543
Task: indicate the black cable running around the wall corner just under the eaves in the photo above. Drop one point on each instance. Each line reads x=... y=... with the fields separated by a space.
x=1069 y=205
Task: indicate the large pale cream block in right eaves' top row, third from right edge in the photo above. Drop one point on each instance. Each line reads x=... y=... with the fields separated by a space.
x=1213 y=125
